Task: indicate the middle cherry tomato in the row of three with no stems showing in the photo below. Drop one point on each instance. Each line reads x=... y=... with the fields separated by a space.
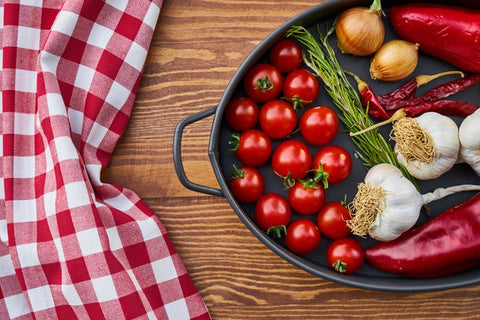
x=277 y=119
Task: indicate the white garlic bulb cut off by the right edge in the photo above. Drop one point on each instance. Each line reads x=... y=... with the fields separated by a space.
x=469 y=136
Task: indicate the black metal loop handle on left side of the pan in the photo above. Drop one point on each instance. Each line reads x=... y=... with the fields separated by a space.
x=177 y=153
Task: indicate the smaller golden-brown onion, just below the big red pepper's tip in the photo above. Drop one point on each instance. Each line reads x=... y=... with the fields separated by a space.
x=395 y=60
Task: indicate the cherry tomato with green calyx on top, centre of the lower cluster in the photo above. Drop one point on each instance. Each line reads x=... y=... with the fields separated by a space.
x=306 y=197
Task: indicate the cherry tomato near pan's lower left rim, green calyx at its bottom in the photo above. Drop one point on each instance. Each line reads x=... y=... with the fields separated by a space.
x=273 y=213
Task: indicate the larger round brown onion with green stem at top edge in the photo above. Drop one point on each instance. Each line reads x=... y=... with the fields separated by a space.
x=360 y=30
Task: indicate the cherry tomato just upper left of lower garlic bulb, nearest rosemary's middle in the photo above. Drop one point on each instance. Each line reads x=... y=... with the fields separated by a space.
x=335 y=161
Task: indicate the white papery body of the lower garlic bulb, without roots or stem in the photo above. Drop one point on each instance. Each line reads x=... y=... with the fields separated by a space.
x=402 y=202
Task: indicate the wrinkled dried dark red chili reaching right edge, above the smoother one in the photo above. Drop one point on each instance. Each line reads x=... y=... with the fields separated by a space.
x=442 y=91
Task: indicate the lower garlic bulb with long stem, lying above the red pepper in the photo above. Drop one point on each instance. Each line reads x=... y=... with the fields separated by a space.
x=387 y=204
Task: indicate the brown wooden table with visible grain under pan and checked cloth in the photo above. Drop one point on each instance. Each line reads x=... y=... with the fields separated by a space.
x=197 y=47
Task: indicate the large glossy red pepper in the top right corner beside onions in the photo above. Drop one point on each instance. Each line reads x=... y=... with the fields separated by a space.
x=449 y=33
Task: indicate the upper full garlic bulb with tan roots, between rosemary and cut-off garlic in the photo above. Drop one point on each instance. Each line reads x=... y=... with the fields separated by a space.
x=427 y=145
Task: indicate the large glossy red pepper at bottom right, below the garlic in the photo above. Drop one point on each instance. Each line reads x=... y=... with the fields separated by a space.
x=444 y=245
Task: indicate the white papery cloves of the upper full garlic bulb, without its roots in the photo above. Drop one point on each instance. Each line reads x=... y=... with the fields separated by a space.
x=444 y=133
